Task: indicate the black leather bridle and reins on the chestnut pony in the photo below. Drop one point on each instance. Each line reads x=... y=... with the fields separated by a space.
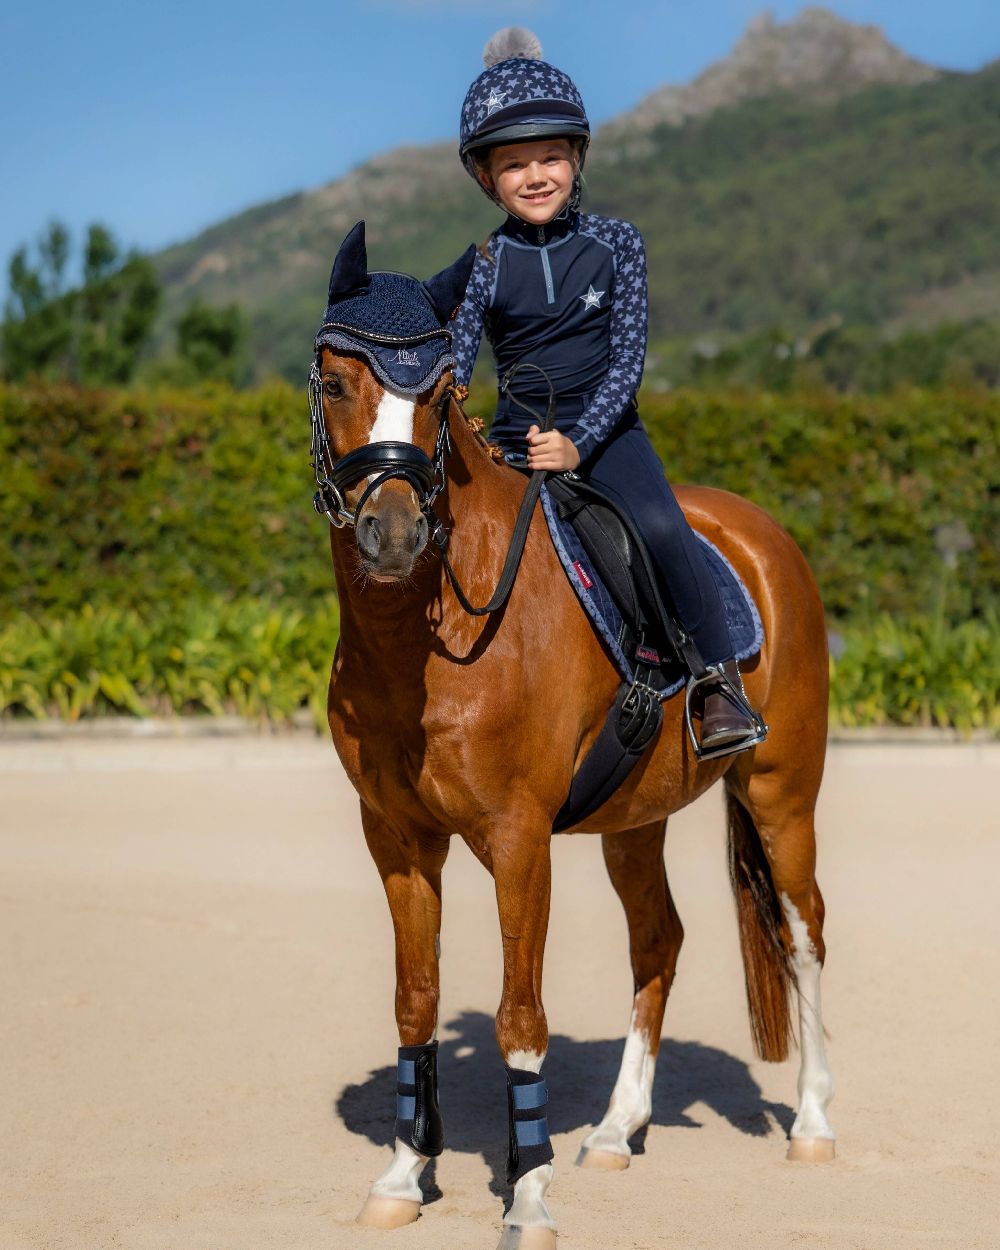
x=427 y=477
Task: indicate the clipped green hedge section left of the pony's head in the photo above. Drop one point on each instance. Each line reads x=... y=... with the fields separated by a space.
x=136 y=498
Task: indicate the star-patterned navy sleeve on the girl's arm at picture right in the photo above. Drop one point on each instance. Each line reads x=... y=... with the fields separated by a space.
x=629 y=319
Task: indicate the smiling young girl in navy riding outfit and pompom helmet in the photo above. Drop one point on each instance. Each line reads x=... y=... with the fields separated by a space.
x=567 y=292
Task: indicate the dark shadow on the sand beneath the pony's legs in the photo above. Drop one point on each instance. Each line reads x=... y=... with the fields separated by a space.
x=581 y=1077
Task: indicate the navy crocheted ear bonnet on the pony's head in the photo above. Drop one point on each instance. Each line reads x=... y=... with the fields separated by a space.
x=398 y=323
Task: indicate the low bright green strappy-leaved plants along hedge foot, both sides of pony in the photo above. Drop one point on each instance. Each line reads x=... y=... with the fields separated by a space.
x=266 y=663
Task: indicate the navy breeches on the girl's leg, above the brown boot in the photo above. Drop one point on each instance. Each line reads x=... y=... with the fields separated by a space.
x=627 y=467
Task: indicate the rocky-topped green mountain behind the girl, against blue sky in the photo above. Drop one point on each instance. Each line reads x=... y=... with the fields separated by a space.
x=816 y=172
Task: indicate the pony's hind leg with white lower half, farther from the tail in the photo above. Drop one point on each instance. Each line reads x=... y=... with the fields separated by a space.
x=636 y=864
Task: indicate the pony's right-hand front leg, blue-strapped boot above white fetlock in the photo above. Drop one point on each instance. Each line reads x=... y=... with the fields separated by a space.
x=522 y=869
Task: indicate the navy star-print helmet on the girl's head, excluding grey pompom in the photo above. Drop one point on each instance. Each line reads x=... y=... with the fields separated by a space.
x=521 y=98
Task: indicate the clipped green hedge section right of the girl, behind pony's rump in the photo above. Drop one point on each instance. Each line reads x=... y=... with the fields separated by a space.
x=883 y=494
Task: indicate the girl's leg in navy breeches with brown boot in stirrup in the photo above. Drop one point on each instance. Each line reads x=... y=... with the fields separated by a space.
x=629 y=468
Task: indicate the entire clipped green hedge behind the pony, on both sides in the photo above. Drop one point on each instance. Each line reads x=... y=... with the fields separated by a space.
x=144 y=498
